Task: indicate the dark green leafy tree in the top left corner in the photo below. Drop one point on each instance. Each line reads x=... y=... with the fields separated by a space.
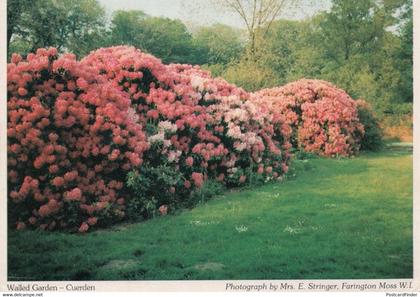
x=68 y=25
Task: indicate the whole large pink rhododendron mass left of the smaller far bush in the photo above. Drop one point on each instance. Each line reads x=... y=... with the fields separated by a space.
x=119 y=134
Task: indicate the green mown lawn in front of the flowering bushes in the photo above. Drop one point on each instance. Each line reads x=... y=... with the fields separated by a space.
x=342 y=218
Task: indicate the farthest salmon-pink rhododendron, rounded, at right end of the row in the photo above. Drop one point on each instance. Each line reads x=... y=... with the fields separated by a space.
x=324 y=118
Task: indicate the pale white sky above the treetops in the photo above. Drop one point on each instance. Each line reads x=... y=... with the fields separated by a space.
x=203 y=12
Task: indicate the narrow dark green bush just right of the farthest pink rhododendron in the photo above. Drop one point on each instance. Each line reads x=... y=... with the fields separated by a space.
x=372 y=138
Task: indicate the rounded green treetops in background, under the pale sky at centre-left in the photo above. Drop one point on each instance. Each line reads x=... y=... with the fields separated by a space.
x=171 y=41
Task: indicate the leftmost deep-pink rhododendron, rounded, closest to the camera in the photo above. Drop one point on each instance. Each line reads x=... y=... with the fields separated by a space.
x=71 y=135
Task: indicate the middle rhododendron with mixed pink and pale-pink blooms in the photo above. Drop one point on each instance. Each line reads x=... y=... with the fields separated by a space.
x=200 y=126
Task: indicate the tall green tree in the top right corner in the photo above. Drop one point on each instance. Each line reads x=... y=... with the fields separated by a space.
x=360 y=46
